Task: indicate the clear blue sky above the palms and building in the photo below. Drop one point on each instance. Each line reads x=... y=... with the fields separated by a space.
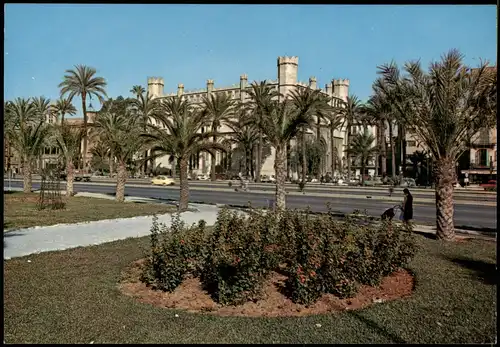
x=192 y=43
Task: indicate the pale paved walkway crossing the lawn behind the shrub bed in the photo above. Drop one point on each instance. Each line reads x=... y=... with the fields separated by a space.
x=22 y=242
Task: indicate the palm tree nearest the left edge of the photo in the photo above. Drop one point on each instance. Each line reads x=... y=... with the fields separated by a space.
x=28 y=134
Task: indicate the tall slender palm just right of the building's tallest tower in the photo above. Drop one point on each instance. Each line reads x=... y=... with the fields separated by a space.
x=311 y=104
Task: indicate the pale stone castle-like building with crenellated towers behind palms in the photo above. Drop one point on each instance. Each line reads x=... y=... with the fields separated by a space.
x=287 y=71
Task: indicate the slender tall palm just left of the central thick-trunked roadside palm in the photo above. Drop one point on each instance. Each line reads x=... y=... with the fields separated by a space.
x=261 y=95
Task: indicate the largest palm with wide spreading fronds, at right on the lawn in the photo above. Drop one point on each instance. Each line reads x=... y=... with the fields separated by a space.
x=445 y=106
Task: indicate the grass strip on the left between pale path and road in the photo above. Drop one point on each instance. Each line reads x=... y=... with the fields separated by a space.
x=20 y=210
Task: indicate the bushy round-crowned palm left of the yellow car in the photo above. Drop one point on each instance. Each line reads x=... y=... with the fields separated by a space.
x=121 y=134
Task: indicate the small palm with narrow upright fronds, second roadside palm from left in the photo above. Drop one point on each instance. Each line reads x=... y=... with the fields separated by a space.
x=68 y=139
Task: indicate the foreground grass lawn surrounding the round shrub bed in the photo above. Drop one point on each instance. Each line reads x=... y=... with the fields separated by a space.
x=72 y=297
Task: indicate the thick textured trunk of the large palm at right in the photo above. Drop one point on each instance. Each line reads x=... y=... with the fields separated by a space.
x=444 y=173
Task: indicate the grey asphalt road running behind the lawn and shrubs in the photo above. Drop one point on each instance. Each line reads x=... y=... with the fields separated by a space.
x=475 y=216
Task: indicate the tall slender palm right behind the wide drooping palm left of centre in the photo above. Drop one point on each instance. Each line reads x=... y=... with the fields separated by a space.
x=219 y=109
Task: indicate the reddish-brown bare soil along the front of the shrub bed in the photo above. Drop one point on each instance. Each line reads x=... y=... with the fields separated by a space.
x=191 y=297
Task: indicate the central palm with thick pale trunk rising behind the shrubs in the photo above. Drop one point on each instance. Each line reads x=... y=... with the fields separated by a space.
x=281 y=123
